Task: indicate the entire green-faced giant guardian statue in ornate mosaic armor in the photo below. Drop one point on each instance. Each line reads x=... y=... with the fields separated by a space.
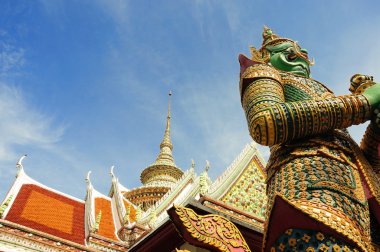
x=323 y=189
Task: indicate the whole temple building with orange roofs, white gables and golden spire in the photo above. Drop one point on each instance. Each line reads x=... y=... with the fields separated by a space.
x=163 y=214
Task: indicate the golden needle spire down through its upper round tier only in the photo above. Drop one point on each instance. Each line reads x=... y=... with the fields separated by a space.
x=163 y=172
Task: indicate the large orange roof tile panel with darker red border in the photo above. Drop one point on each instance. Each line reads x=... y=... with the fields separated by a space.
x=49 y=212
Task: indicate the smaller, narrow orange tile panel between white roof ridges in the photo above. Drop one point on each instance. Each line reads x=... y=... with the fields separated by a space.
x=106 y=225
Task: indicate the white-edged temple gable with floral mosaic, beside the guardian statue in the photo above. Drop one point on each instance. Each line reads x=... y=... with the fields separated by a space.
x=240 y=189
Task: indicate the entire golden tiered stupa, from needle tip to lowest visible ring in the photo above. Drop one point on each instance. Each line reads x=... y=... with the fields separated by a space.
x=160 y=176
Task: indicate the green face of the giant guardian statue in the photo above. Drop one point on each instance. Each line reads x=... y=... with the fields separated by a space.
x=289 y=57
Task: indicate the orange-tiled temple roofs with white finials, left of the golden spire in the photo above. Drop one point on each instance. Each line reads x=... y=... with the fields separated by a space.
x=98 y=219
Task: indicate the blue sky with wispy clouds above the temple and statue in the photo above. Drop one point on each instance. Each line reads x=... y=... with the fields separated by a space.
x=83 y=84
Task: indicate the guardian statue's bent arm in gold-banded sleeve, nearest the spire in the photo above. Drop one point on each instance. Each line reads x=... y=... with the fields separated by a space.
x=271 y=120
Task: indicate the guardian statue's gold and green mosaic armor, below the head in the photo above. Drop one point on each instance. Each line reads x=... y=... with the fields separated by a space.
x=314 y=167
